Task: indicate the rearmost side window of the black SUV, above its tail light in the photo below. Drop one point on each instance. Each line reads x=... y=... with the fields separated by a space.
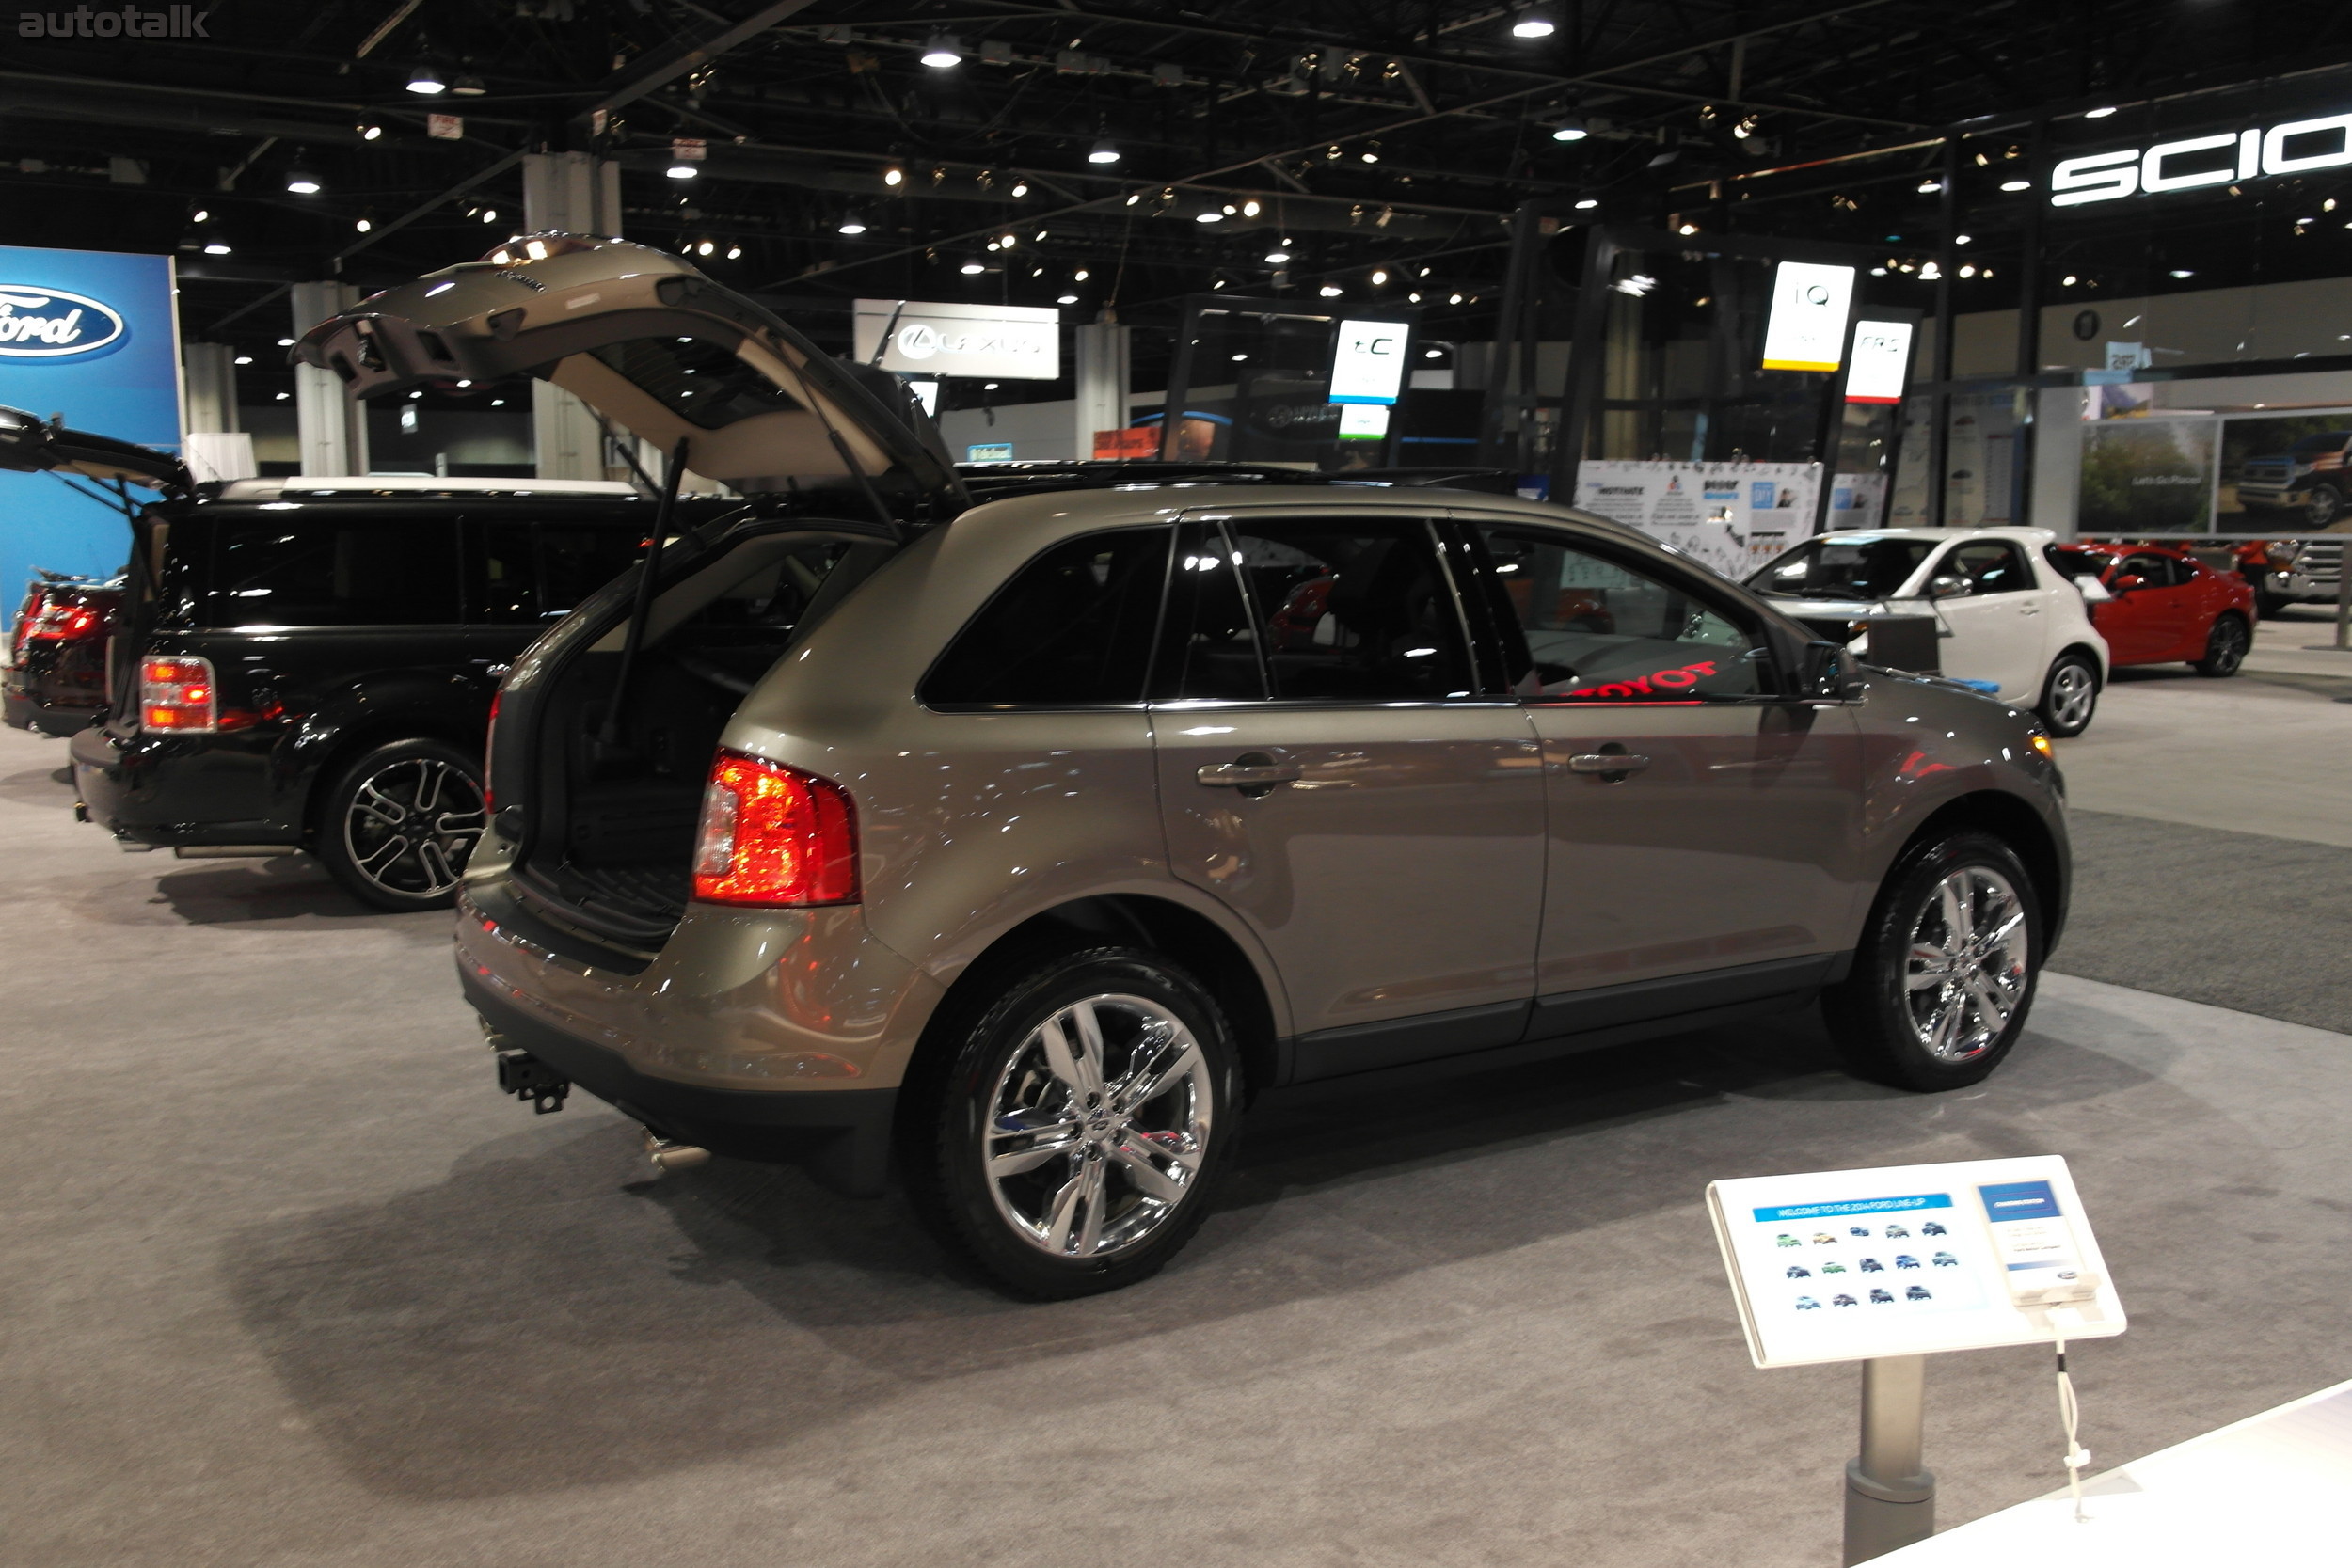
x=312 y=568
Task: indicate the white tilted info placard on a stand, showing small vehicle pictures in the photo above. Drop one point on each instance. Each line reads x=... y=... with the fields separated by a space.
x=1902 y=1261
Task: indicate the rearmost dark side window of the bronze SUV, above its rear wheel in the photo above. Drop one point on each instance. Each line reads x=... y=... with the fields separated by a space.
x=1074 y=629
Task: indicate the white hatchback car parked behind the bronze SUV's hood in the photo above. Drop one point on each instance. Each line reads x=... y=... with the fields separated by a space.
x=2005 y=615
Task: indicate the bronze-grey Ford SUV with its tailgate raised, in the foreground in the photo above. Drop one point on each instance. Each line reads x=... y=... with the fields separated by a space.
x=1022 y=843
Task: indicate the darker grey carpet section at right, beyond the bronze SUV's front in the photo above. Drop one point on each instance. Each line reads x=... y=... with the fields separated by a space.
x=2240 y=920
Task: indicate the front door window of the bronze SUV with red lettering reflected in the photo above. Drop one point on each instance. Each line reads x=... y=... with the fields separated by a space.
x=1596 y=629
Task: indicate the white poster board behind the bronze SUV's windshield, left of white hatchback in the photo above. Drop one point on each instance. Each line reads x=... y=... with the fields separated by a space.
x=1730 y=516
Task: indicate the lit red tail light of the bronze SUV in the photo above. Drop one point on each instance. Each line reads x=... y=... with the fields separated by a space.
x=775 y=836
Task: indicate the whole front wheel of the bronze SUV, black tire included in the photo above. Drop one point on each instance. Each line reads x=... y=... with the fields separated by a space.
x=1876 y=1014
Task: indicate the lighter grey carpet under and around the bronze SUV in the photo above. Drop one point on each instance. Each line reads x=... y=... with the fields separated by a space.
x=286 y=1285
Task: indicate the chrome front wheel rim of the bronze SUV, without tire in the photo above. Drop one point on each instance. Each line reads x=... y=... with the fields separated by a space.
x=1965 y=977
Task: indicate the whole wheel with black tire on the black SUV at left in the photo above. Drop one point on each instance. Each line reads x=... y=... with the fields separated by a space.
x=399 y=824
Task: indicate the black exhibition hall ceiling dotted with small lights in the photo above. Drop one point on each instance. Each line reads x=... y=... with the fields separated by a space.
x=1368 y=135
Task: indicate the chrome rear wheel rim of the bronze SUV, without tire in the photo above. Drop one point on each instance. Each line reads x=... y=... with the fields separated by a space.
x=1097 y=1127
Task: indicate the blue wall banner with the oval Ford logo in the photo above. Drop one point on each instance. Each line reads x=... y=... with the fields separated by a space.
x=95 y=337
